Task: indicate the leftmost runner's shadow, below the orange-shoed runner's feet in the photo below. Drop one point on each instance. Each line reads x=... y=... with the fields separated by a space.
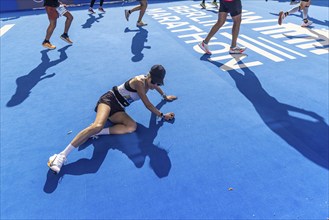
x=26 y=83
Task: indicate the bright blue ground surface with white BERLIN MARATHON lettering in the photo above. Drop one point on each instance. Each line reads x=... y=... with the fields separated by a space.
x=250 y=137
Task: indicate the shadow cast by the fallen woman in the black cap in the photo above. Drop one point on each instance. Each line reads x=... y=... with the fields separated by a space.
x=136 y=146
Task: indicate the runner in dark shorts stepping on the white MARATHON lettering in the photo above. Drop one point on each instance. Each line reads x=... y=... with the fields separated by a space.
x=234 y=7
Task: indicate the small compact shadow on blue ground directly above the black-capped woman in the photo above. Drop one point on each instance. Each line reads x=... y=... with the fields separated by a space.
x=138 y=43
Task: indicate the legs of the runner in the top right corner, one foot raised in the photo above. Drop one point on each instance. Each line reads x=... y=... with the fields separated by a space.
x=304 y=5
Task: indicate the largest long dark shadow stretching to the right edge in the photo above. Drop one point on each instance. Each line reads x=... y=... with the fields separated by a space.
x=304 y=130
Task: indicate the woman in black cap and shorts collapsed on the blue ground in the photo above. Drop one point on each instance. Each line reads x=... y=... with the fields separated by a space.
x=111 y=106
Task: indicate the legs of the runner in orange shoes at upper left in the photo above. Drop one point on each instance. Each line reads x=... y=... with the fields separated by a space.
x=54 y=9
